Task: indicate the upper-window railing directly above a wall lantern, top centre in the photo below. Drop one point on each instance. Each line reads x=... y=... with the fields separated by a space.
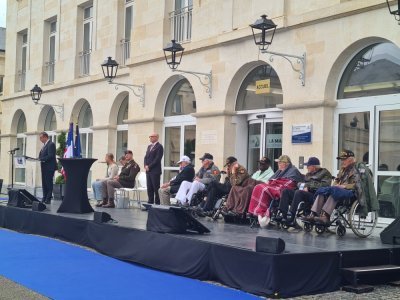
x=181 y=24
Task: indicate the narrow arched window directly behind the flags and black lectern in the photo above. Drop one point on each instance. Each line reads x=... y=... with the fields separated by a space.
x=85 y=121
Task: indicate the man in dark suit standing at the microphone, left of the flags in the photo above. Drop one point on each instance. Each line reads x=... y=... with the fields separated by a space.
x=48 y=165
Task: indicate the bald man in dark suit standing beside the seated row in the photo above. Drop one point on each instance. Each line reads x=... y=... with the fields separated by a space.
x=152 y=165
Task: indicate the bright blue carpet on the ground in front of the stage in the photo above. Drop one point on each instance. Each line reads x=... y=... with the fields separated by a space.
x=63 y=271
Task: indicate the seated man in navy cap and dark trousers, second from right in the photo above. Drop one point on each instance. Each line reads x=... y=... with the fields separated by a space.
x=315 y=178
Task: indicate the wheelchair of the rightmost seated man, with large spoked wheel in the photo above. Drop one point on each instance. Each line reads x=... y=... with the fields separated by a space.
x=346 y=215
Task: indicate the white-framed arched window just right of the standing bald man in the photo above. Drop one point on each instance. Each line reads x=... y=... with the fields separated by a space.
x=180 y=126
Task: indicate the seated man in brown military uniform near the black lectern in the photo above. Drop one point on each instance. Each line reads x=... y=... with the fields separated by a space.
x=125 y=179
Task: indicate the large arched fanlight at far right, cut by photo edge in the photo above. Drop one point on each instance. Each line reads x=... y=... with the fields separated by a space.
x=373 y=71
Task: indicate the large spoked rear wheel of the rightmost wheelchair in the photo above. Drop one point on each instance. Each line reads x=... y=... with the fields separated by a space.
x=362 y=226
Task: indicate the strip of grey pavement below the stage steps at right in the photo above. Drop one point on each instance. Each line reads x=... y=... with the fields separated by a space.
x=380 y=292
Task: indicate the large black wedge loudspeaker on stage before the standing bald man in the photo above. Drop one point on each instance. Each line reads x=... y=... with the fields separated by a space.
x=170 y=219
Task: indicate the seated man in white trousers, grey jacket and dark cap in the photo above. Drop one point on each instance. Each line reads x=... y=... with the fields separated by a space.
x=208 y=172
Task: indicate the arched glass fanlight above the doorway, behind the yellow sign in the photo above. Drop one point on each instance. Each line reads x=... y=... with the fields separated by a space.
x=250 y=97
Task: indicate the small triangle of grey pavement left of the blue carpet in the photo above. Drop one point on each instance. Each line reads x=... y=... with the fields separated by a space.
x=9 y=290
